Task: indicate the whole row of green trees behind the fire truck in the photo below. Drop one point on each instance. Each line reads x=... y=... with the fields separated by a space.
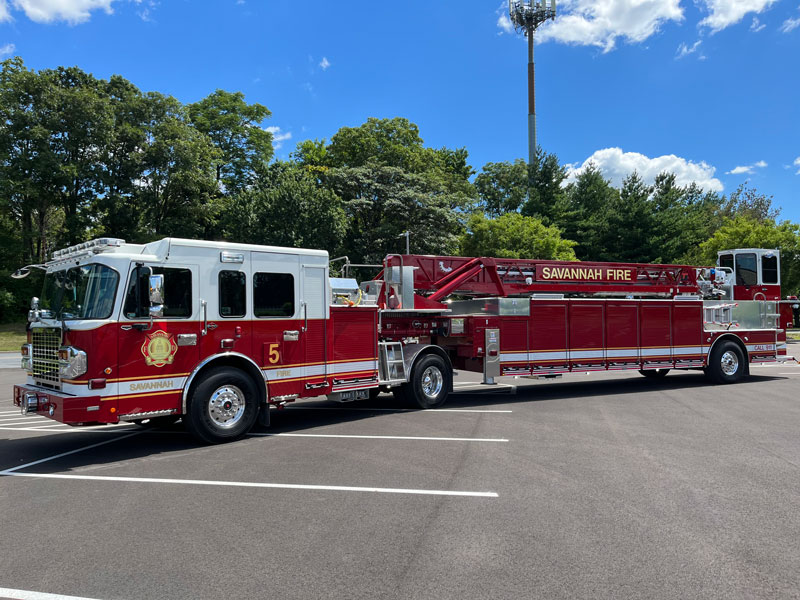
x=82 y=157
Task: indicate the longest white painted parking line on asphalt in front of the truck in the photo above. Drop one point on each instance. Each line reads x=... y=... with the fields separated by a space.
x=253 y=484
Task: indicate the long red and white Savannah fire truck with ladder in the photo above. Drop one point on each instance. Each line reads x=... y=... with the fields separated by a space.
x=215 y=333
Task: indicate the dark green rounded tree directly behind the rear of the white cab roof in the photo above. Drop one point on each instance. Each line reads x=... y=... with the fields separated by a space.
x=287 y=194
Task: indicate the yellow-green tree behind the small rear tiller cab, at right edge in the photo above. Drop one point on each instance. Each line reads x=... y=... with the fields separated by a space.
x=746 y=232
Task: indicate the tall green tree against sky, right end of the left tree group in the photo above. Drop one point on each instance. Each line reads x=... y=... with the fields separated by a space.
x=234 y=127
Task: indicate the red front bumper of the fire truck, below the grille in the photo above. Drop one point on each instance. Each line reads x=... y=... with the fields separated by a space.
x=72 y=410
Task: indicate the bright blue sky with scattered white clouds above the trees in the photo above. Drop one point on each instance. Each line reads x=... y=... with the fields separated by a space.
x=709 y=89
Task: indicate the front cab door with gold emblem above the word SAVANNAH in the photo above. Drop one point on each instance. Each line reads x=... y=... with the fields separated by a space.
x=155 y=359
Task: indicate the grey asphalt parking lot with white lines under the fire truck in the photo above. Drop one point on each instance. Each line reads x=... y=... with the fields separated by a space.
x=607 y=485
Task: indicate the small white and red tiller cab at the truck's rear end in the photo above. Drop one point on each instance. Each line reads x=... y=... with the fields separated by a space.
x=751 y=273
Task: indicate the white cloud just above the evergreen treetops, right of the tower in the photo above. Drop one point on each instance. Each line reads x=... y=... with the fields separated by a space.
x=616 y=165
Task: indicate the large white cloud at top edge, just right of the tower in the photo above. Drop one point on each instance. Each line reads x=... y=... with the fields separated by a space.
x=602 y=22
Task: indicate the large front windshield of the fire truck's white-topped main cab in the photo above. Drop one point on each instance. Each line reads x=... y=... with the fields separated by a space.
x=85 y=292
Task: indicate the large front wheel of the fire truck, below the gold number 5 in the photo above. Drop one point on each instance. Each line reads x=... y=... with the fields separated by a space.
x=223 y=406
